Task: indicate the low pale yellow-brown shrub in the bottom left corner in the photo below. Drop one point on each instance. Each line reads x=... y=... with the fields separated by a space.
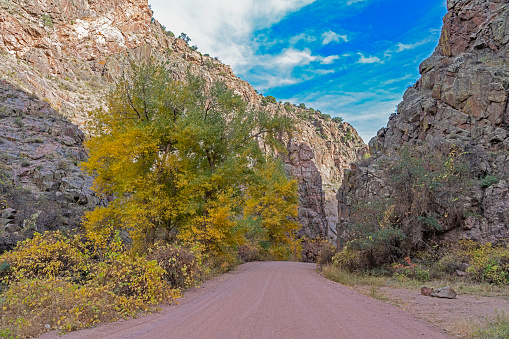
x=31 y=304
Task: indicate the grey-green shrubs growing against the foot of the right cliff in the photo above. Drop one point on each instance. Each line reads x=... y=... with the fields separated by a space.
x=426 y=197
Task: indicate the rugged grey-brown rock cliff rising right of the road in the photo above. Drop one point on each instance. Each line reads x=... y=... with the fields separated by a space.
x=460 y=101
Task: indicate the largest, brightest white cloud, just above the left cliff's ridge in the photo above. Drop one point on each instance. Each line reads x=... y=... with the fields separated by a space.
x=222 y=27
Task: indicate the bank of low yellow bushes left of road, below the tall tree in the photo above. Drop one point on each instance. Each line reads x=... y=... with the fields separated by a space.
x=64 y=282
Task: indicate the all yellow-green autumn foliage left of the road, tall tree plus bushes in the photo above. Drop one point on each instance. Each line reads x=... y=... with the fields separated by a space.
x=188 y=184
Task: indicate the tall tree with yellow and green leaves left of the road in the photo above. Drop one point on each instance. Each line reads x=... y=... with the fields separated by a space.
x=183 y=160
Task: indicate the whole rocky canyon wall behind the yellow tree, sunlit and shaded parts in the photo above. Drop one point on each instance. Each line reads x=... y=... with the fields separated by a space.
x=58 y=60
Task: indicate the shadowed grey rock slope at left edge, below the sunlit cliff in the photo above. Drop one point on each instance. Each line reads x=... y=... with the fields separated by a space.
x=41 y=186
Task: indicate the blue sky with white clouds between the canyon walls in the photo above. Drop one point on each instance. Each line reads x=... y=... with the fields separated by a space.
x=347 y=58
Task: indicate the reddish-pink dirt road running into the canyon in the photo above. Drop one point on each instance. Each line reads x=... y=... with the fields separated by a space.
x=271 y=300
